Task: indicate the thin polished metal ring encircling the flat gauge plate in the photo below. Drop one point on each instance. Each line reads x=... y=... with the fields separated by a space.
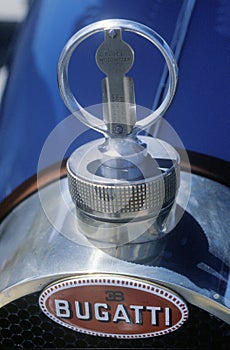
x=114 y=24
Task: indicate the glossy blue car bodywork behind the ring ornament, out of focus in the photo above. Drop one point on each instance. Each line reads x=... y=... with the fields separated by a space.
x=32 y=106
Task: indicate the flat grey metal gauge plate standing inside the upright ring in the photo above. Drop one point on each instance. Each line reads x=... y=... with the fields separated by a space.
x=115 y=58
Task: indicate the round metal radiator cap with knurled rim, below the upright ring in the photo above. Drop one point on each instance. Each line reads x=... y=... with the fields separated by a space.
x=126 y=180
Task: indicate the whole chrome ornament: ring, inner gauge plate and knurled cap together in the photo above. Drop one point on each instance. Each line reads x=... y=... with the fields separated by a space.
x=126 y=176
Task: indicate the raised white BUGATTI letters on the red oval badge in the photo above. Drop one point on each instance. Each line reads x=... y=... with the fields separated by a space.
x=101 y=312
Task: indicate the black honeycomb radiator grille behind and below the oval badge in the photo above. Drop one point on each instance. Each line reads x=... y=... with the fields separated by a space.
x=23 y=325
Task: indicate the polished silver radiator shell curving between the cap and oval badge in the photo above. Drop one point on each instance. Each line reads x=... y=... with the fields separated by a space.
x=33 y=253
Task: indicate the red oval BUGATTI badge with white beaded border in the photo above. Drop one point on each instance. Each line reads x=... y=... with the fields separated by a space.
x=114 y=306
